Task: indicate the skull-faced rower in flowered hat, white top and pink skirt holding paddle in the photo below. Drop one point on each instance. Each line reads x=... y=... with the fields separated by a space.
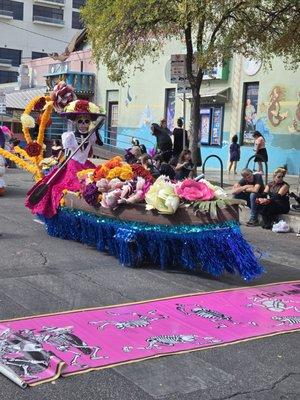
x=82 y=113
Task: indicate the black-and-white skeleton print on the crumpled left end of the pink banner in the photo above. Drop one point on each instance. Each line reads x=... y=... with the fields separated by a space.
x=26 y=357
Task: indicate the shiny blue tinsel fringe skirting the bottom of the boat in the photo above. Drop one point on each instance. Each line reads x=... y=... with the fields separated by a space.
x=213 y=248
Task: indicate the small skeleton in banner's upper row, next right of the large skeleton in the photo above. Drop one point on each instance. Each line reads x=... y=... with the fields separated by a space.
x=141 y=321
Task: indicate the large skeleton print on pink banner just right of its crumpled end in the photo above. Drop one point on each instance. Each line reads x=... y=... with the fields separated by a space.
x=64 y=340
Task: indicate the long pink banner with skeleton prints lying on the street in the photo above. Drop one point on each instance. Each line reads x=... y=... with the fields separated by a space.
x=40 y=348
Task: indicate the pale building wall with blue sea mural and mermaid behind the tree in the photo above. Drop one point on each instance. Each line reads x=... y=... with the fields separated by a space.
x=239 y=100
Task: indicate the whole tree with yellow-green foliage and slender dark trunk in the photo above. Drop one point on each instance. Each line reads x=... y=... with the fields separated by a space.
x=123 y=33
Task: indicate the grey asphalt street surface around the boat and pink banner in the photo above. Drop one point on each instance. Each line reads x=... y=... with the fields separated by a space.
x=40 y=274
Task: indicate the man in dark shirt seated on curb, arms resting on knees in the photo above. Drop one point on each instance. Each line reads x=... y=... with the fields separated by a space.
x=249 y=188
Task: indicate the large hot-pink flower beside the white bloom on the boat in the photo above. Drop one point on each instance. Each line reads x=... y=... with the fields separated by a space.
x=192 y=190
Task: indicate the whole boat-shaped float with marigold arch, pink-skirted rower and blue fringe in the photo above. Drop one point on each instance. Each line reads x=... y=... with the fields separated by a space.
x=120 y=209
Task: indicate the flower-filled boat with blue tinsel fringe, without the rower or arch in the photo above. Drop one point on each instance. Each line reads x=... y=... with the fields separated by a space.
x=122 y=210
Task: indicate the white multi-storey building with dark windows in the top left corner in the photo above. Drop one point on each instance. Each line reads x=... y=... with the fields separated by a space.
x=33 y=29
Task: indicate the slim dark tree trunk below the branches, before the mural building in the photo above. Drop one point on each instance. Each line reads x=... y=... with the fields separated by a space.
x=195 y=125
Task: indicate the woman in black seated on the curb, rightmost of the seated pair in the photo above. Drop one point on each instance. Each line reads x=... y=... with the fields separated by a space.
x=276 y=200
